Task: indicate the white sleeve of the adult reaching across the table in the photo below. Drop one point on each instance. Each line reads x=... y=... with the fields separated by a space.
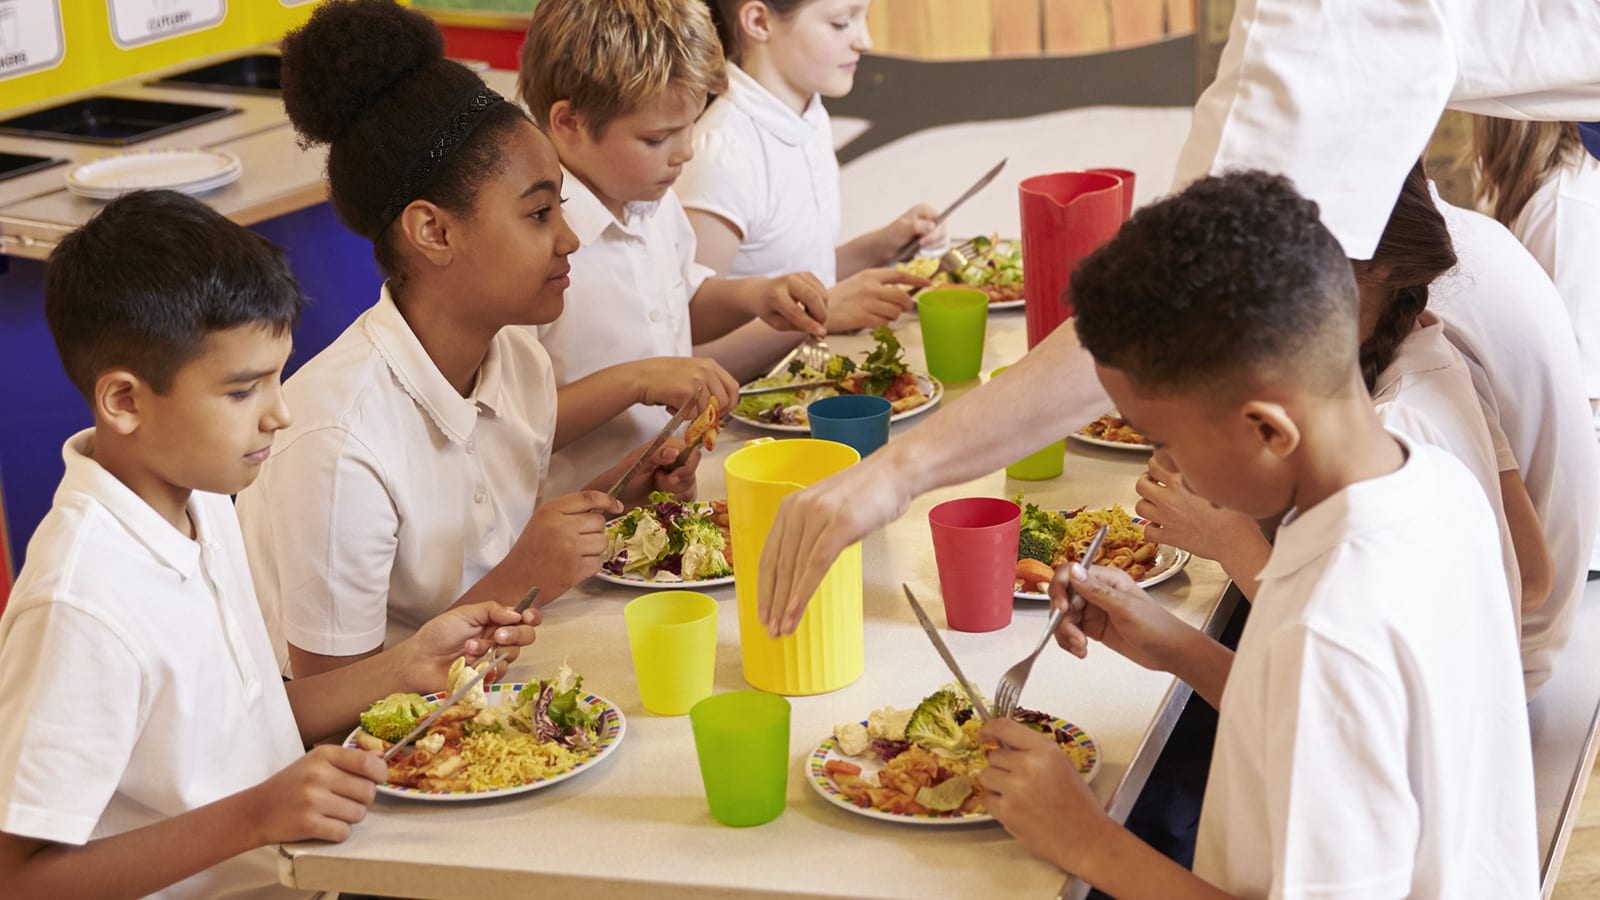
x=1340 y=97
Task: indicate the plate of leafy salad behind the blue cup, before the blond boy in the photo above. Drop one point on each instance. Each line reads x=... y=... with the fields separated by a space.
x=882 y=372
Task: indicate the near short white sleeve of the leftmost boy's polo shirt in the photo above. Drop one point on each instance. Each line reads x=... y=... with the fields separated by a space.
x=66 y=741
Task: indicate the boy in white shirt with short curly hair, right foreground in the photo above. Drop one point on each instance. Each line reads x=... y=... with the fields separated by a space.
x=1372 y=734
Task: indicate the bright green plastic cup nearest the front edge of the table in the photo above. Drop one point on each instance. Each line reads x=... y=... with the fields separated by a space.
x=743 y=745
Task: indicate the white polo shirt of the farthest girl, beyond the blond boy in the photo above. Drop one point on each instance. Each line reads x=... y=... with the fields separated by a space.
x=774 y=175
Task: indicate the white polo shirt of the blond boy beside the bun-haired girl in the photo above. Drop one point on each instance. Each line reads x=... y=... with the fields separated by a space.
x=633 y=286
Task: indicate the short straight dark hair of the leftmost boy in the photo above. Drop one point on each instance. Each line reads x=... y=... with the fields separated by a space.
x=146 y=281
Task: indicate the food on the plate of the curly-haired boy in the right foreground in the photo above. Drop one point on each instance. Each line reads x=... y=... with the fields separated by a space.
x=930 y=757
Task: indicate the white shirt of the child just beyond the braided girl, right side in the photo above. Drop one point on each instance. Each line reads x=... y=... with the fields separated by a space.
x=1505 y=316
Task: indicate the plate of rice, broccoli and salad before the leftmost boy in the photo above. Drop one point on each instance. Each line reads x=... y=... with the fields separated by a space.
x=498 y=741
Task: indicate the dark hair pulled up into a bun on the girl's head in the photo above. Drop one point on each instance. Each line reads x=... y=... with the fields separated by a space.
x=370 y=79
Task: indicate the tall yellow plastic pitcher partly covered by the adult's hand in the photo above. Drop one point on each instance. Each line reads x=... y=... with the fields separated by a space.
x=826 y=651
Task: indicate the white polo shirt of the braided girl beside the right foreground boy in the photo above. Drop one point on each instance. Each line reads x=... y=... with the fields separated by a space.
x=1428 y=396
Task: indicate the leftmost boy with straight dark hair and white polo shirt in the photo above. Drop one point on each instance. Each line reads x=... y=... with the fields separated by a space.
x=151 y=747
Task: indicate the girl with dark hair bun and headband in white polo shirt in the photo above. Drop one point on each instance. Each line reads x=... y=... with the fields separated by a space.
x=410 y=478
